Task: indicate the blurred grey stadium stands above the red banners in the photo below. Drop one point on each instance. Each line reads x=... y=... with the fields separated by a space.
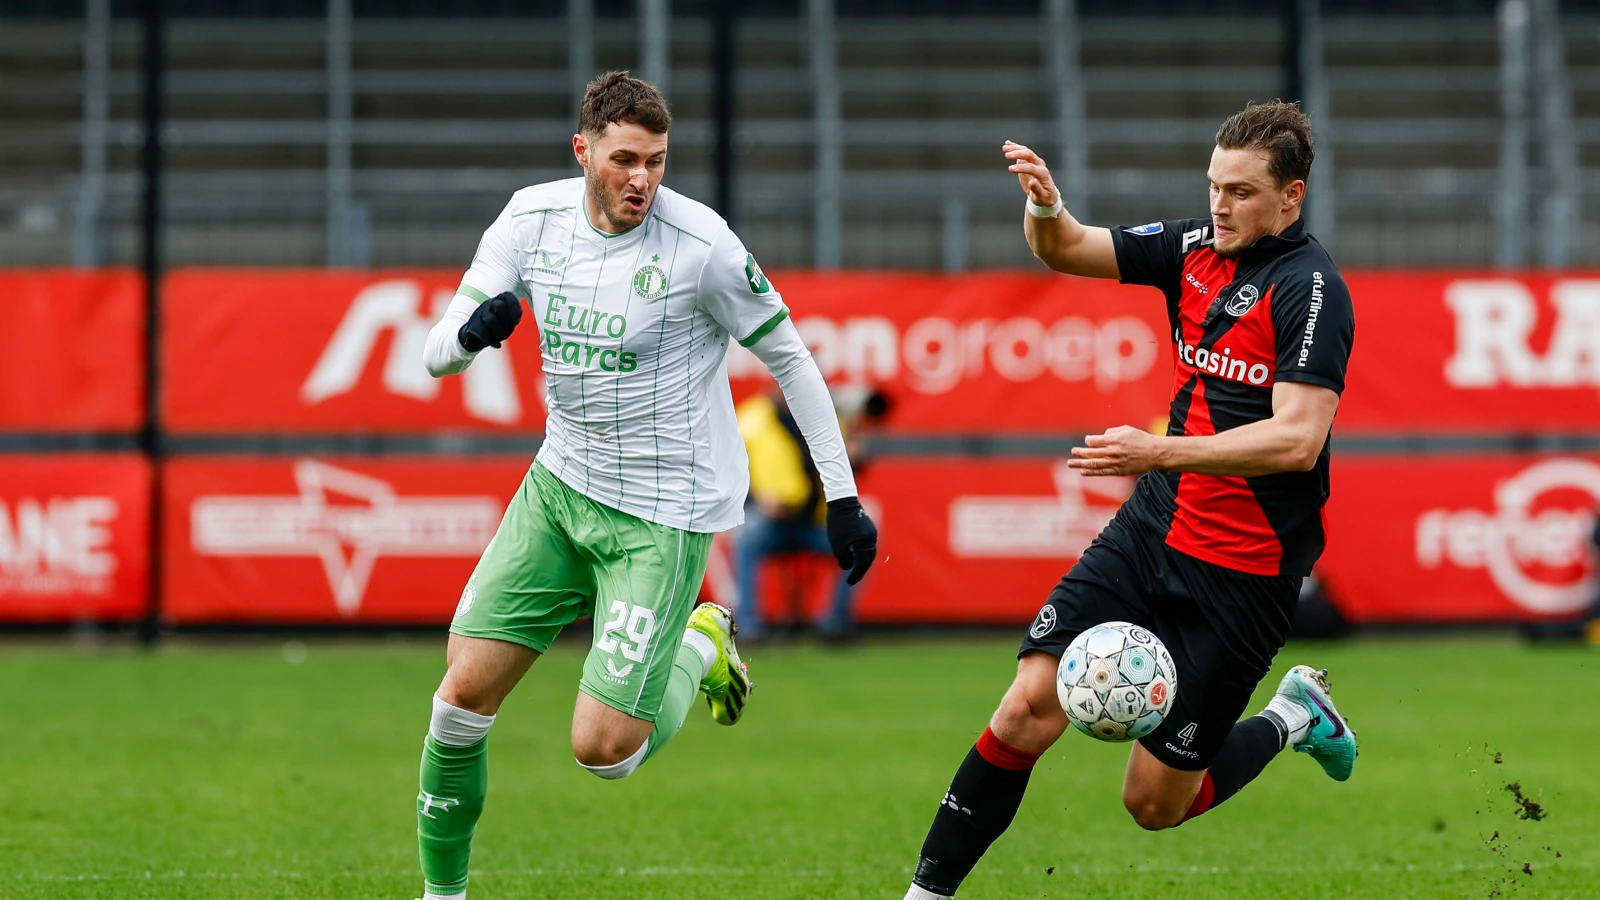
x=449 y=116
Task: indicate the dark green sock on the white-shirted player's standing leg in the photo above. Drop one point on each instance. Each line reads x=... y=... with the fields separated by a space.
x=449 y=805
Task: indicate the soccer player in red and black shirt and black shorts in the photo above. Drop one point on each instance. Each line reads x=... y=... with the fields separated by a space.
x=1226 y=518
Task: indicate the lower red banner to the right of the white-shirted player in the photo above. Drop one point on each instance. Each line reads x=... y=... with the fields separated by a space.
x=1412 y=540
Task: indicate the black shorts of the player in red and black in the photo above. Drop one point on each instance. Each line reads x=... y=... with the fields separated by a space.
x=1222 y=627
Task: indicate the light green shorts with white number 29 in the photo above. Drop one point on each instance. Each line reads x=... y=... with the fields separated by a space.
x=559 y=556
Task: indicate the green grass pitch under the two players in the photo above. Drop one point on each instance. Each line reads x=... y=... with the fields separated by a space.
x=226 y=771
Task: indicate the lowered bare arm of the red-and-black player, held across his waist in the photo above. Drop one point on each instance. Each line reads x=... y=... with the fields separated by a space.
x=1290 y=441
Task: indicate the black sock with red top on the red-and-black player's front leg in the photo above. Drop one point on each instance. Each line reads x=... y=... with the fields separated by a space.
x=980 y=806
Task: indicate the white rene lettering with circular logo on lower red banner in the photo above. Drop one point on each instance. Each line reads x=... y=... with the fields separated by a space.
x=1534 y=545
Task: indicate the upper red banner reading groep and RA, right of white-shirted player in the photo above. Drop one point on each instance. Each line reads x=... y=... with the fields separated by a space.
x=1438 y=353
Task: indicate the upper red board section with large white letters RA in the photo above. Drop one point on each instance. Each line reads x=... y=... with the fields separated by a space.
x=1474 y=353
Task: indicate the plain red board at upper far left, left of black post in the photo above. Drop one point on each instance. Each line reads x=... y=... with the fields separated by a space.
x=71 y=350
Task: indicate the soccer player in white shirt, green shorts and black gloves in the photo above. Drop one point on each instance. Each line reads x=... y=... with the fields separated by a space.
x=636 y=292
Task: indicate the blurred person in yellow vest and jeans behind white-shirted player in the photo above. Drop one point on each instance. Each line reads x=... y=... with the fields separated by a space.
x=786 y=508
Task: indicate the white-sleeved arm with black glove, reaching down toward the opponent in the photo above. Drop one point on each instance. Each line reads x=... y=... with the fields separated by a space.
x=850 y=531
